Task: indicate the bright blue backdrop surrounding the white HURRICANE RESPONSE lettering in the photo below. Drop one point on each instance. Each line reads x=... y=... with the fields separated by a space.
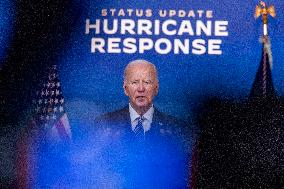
x=92 y=82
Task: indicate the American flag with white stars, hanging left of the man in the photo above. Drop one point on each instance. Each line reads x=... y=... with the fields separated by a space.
x=50 y=108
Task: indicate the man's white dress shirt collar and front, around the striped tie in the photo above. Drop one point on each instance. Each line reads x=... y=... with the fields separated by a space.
x=148 y=117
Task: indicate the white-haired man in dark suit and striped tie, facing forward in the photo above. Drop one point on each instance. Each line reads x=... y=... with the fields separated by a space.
x=143 y=147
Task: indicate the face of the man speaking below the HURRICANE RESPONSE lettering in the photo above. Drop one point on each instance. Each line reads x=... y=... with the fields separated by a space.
x=141 y=86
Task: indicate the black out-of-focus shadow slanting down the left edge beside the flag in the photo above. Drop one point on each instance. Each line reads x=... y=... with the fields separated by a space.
x=35 y=42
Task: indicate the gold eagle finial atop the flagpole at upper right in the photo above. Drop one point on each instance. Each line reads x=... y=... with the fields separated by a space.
x=262 y=9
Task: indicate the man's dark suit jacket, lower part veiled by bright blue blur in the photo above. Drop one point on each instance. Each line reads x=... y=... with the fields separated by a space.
x=162 y=161
